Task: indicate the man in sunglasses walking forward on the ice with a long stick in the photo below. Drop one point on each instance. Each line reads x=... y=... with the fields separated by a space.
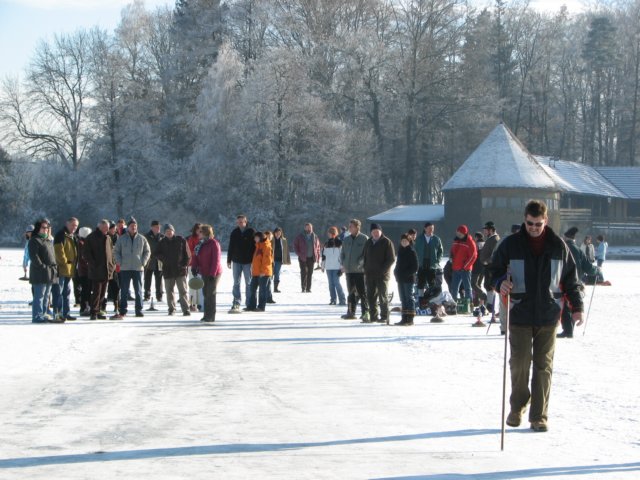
x=536 y=268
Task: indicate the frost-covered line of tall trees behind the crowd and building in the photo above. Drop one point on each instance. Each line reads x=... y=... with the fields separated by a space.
x=295 y=110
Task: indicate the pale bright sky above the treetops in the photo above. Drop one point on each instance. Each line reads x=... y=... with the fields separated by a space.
x=24 y=22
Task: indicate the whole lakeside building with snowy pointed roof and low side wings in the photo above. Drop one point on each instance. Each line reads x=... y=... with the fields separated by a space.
x=501 y=176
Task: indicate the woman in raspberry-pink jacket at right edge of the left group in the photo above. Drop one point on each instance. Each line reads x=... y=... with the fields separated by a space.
x=207 y=262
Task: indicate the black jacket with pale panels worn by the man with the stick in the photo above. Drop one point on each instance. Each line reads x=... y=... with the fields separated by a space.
x=539 y=282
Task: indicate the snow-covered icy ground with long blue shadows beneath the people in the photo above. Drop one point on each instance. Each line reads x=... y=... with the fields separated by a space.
x=296 y=392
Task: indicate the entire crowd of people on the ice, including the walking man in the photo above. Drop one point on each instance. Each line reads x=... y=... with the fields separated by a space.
x=536 y=273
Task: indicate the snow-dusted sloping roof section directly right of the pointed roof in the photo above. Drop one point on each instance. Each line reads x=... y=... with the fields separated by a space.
x=576 y=177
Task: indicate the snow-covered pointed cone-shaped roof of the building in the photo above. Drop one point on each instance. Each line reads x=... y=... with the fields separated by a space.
x=500 y=161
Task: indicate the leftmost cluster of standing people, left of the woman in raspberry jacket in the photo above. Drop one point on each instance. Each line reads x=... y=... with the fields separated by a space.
x=105 y=263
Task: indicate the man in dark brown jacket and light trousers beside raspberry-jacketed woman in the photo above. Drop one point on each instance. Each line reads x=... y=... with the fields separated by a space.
x=175 y=256
